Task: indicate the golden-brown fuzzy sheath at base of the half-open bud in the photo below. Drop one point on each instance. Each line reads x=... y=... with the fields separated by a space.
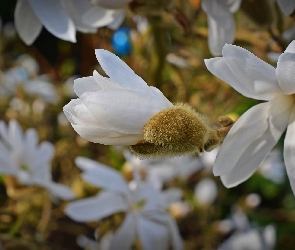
x=177 y=130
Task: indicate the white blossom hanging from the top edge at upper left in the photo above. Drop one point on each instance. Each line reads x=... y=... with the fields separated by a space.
x=61 y=18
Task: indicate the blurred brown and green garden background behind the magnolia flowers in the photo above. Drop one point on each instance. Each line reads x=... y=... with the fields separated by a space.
x=165 y=43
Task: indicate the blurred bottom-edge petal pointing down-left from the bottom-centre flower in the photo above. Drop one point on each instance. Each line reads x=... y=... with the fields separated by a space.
x=125 y=235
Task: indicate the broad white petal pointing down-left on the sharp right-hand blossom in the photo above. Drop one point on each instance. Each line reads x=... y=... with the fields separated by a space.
x=252 y=137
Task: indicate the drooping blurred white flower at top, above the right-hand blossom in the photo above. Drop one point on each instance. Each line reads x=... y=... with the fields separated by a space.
x=221 y=22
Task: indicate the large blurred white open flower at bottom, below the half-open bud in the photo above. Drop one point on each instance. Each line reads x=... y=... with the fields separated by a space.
x=144 y=207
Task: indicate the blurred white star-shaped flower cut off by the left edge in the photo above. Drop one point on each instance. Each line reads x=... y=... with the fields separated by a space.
x=28 y=162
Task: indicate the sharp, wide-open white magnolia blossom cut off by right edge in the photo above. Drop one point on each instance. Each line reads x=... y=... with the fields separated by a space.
x=258 y=130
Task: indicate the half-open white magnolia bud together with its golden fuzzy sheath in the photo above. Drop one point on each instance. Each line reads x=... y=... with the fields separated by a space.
x=124 y=110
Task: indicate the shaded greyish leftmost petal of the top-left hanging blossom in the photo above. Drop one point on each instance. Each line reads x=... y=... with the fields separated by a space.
x=26 y=23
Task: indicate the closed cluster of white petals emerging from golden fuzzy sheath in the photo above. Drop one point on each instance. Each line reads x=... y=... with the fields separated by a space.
x=114 y=110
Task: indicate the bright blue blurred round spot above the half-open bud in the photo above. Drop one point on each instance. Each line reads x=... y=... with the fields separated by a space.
x=121 y=41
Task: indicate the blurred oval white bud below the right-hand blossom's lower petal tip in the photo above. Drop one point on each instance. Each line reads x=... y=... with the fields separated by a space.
x=206 y=191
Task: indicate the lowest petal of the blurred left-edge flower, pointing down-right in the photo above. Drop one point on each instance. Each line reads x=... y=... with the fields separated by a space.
x=57 y=190
